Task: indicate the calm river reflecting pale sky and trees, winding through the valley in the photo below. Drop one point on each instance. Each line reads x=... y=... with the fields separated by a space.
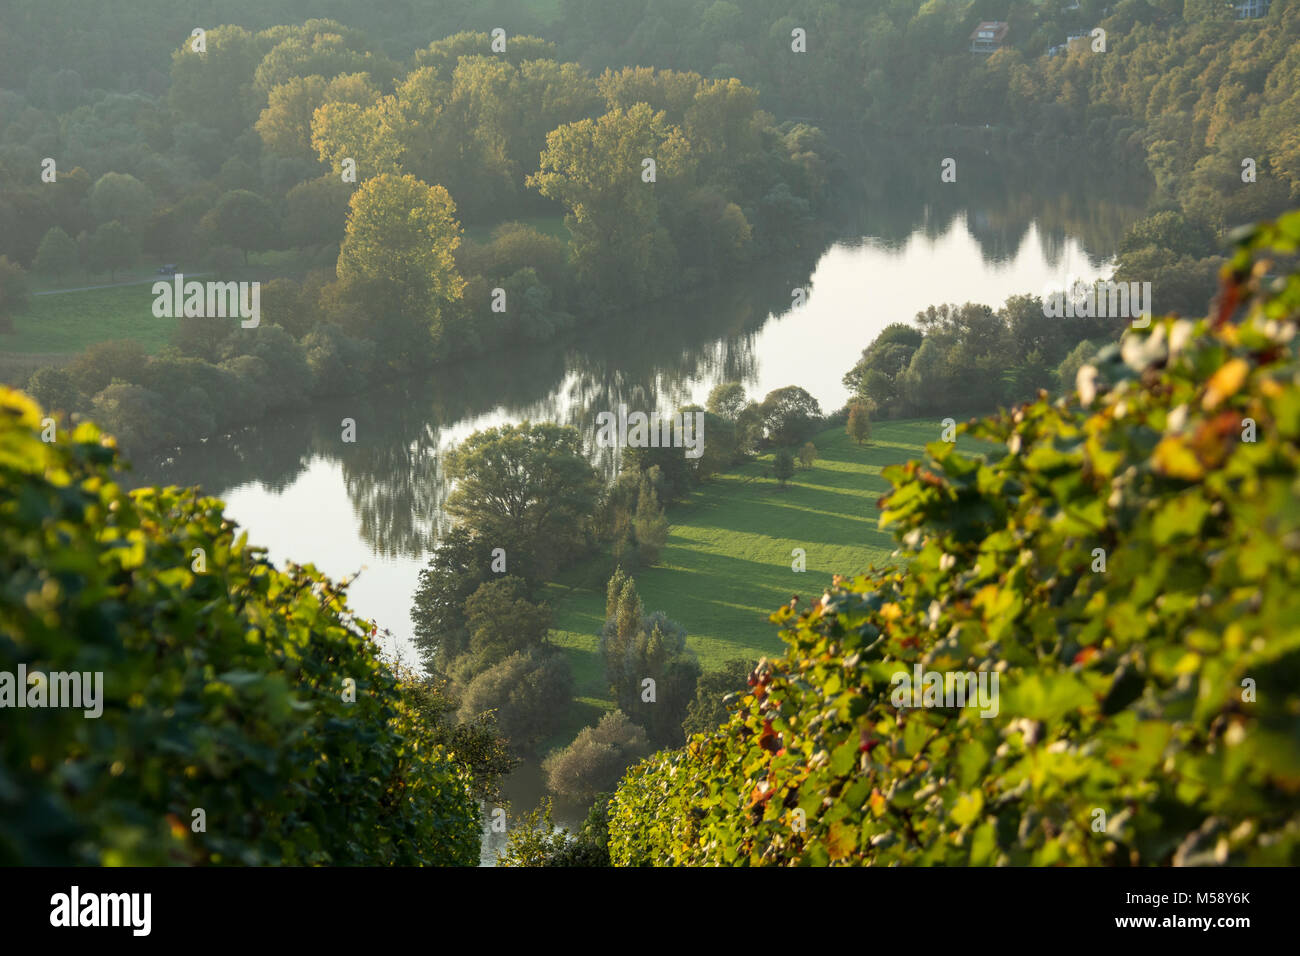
x=376 y=505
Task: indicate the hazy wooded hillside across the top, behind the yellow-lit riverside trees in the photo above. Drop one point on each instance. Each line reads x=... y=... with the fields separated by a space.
x=1182 y=85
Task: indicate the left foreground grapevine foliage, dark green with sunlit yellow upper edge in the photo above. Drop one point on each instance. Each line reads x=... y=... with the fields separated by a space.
x=223 y=687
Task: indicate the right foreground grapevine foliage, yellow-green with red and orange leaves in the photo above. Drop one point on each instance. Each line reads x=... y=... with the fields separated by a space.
x=1129 y=576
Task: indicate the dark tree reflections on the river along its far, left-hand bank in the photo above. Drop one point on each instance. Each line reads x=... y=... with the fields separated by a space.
x=393 y=471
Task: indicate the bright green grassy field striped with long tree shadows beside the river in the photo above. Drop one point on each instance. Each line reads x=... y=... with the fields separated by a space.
x=729 y=561
